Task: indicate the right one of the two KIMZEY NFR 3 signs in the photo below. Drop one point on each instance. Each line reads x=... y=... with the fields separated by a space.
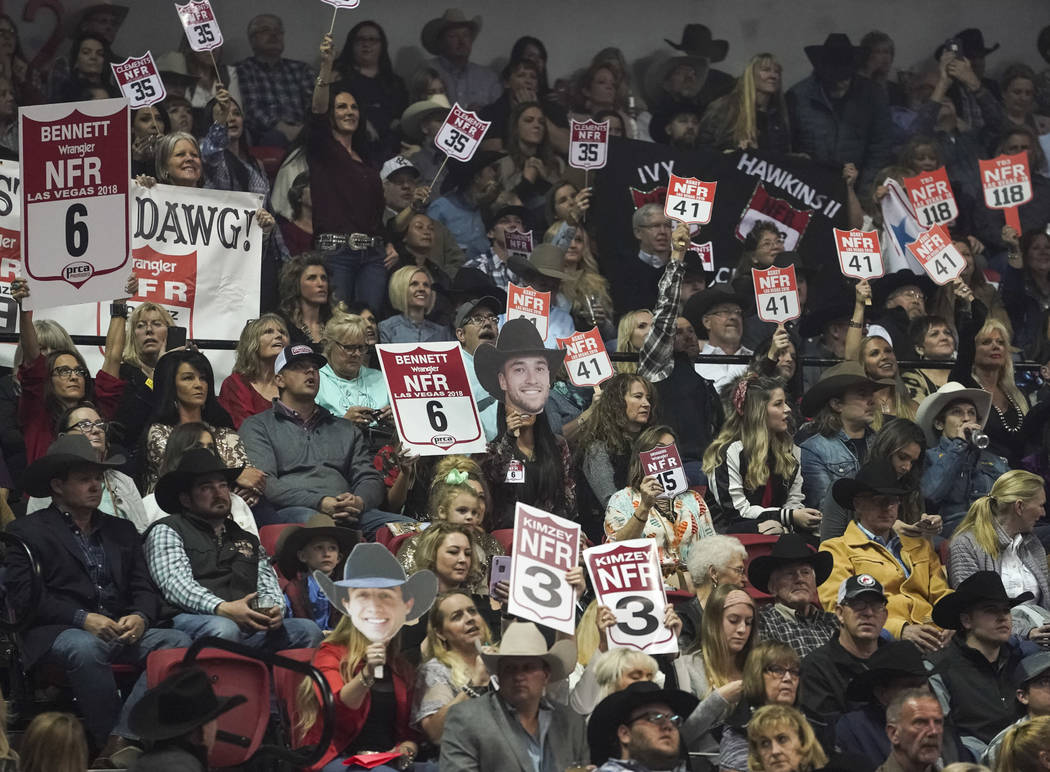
x=626 y=577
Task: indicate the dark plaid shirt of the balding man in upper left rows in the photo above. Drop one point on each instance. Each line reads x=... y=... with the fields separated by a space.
x=274 y=93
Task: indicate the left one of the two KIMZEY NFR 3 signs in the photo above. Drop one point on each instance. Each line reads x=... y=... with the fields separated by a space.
x=545 y=549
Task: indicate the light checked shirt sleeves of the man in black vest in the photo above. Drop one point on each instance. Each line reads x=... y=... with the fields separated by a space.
x=174 y=574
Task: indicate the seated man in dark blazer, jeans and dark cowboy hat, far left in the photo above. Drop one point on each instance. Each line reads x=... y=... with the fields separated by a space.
x=97 y=607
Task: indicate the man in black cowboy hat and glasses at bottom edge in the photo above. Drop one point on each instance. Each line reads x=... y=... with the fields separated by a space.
x=637 y=729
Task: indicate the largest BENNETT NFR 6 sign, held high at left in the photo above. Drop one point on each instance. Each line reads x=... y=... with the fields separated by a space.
x=76 y=176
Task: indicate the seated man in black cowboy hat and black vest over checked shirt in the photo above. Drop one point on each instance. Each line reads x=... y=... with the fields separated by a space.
x=217 y=574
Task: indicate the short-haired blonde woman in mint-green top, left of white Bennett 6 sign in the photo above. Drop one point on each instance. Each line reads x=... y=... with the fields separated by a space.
x=348 y=388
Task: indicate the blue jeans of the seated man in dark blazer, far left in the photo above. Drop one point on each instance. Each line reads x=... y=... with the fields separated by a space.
x=87 y=661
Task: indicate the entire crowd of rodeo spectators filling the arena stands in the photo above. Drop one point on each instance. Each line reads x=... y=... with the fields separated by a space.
x=857 y=574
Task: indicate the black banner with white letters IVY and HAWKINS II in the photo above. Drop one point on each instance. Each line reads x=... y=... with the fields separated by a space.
x=805 y=200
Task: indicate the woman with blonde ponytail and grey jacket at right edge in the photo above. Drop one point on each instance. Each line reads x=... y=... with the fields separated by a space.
x=997 y=536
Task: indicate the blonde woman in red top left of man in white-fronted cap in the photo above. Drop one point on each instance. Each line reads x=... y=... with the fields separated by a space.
x=251 y=389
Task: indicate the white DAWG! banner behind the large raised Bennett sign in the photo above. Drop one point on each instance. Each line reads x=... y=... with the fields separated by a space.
x=195 y=252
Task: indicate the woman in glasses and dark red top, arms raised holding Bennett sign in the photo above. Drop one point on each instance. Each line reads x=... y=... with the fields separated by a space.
x=60 y=381
